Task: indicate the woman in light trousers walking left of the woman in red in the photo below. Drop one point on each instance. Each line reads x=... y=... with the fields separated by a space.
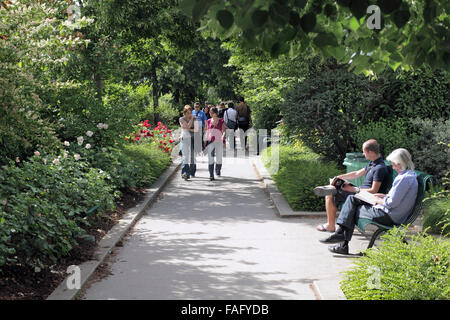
x=188 y=126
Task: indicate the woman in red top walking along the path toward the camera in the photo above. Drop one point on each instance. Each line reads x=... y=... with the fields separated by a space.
x=214 y=137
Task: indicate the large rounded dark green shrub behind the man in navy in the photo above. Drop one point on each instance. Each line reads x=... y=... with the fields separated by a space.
x=325 y=108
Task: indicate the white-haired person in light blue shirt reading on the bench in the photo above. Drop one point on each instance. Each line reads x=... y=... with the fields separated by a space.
x=389 y=209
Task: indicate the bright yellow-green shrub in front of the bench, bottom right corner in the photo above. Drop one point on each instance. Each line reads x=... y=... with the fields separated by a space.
x=395 y=270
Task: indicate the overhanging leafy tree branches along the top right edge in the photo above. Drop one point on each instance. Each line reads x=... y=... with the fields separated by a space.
x=411 y=33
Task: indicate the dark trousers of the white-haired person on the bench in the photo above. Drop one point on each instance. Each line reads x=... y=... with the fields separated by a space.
x=353 y=209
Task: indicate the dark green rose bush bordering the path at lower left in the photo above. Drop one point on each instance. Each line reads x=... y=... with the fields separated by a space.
x=44 y=206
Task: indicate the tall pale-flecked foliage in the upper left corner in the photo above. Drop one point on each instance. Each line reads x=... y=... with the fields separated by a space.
x=34 y=41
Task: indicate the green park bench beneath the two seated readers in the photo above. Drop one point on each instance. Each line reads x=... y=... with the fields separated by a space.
x=422 y=179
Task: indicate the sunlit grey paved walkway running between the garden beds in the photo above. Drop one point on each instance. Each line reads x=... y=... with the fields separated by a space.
x=222 y=240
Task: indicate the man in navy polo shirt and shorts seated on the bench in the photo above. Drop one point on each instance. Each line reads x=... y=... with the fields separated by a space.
x=376 y=180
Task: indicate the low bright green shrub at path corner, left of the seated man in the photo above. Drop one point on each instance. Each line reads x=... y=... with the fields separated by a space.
x=300 y=170
